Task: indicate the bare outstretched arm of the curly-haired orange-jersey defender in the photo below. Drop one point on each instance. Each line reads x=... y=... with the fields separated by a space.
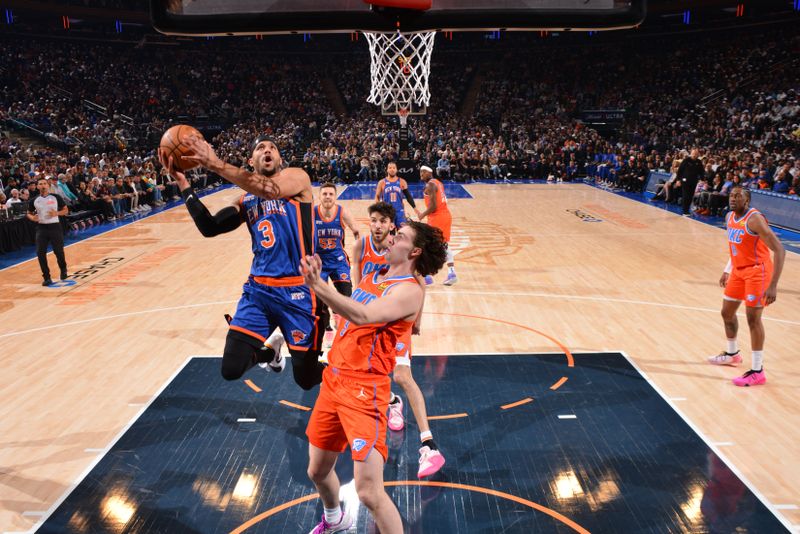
x=402 y=302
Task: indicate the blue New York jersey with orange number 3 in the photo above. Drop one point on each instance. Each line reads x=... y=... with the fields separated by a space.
x=281 y=232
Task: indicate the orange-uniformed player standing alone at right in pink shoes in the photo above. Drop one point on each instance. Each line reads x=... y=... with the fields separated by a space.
x=750 y=276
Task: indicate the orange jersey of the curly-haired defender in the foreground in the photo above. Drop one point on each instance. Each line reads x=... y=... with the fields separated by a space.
x=370 y=348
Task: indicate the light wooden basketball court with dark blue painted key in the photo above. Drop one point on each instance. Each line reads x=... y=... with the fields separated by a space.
x=566 y=373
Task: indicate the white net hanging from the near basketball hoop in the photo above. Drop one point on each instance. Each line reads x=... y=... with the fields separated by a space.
x=400 y=65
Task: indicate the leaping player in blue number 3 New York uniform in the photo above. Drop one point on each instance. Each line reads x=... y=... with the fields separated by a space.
x=278 y=211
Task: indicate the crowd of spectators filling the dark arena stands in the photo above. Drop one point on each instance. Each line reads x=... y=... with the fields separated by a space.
x=513 y=112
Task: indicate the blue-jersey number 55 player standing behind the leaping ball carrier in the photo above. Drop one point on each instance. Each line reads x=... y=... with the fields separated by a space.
x=330 y=218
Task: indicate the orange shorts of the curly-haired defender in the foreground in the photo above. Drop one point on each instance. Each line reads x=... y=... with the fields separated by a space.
x=351 y=410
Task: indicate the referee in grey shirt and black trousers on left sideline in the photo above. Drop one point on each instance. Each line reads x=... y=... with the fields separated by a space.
x=45 y=210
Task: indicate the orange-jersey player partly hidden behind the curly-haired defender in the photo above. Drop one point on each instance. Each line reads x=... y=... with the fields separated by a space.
x=369 y=253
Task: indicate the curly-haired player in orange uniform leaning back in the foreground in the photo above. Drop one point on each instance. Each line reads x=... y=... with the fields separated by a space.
x=354 y=396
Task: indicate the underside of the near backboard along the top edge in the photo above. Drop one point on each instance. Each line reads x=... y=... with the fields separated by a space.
x=242 y=17
